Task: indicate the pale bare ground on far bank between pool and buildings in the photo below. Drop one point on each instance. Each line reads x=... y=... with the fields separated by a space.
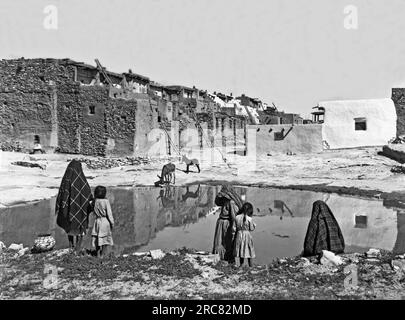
x=354 y=171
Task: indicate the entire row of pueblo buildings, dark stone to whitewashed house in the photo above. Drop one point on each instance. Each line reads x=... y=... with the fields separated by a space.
x=73 y=107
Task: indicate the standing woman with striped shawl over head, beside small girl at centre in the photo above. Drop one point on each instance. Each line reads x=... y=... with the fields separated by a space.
x=230 y=203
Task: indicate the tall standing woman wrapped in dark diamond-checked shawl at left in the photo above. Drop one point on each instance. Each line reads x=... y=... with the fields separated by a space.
x=74 y=204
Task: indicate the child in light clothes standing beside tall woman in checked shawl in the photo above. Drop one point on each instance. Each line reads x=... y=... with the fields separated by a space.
x=104 y=222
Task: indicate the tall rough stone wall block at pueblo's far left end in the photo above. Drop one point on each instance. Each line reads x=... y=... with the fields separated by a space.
x=28 y=102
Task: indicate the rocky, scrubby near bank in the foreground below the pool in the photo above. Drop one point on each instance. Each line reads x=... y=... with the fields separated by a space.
x=186 y=274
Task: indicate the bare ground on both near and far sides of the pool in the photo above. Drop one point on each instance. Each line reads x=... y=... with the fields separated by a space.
x=185 y=274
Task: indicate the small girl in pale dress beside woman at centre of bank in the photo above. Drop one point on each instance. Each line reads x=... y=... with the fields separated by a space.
x=243 y=239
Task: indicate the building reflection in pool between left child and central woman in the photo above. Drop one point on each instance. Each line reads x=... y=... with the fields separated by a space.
x=153 y=209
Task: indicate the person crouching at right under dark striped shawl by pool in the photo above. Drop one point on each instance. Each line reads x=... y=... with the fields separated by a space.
x=323 y=232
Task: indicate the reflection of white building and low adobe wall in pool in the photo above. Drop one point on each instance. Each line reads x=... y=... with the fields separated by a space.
x=364 y=223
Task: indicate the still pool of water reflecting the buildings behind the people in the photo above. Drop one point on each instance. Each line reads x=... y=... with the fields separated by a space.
x=151 y=218
